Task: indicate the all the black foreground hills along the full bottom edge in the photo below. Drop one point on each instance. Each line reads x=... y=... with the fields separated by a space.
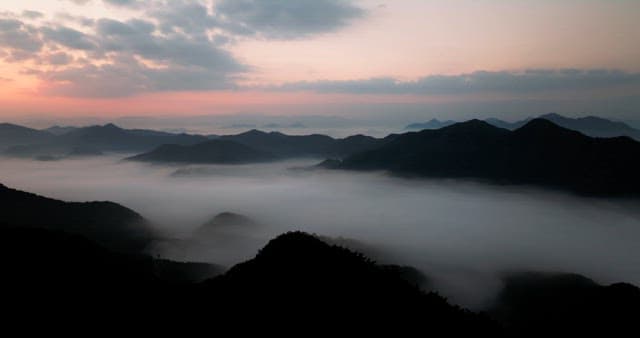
x=296 y=283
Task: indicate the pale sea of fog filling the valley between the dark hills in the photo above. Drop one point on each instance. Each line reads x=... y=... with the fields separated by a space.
x=462 y=235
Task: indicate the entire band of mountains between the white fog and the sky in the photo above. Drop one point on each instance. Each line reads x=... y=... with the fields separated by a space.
x=539 y=151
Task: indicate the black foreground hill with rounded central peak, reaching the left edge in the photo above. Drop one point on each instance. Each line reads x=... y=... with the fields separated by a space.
x=295 y=281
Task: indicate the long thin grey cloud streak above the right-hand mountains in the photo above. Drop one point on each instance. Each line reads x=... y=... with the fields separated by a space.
x=479 y=82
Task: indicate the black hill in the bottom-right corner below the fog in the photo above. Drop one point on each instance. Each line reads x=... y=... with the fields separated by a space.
x=535 y=304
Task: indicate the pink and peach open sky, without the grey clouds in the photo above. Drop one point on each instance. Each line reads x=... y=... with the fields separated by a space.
x=405 y=40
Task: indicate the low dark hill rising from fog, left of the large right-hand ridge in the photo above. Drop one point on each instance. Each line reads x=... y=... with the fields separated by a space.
x=213 y=151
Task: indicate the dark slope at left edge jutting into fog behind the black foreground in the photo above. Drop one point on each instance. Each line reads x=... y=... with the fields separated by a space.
x=106 y=223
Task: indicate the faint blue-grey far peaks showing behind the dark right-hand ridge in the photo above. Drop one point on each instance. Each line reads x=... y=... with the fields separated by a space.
x=590 y=125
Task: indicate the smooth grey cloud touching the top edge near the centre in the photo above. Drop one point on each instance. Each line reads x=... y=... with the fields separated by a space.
x=286 y=19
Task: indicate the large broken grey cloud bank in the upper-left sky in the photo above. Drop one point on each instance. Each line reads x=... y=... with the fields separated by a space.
x=170 y=45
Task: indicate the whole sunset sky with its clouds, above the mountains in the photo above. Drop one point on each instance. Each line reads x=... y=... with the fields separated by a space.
x=403 y=59
